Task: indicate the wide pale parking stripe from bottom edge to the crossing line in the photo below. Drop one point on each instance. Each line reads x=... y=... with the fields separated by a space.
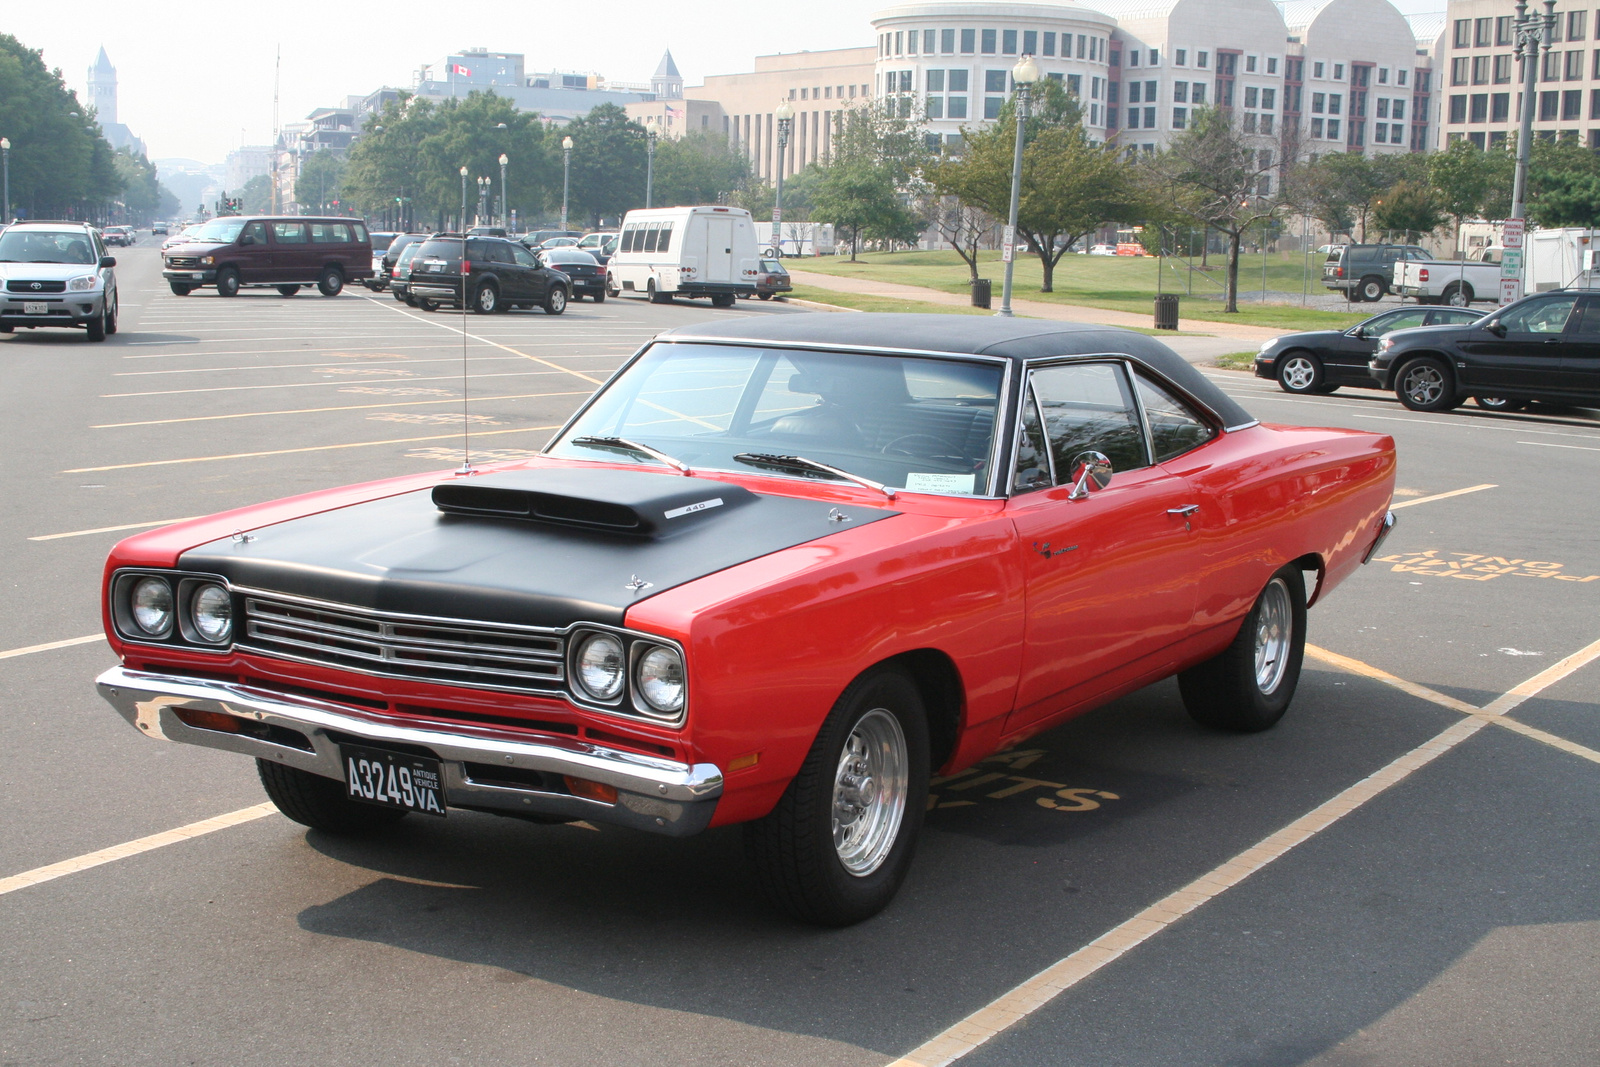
x=1039 y=991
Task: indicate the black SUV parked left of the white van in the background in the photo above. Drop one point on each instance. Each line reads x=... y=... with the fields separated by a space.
x=497 y=276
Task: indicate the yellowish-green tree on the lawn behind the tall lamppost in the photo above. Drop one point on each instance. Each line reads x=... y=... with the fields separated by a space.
x=1071 y=186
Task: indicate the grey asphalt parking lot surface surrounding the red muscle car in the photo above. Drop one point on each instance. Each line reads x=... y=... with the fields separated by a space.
x=1404 y=873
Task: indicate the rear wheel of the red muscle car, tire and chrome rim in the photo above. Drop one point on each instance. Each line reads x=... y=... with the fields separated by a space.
x=1241 y=690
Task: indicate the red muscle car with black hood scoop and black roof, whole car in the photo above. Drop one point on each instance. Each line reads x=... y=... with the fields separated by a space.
x=775 y=573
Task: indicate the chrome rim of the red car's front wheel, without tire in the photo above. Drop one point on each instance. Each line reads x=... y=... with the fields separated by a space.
x=870 y=793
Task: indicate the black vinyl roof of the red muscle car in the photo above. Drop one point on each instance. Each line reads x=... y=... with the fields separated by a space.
x=972 y=335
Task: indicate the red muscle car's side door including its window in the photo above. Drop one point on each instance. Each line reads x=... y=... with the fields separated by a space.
x=1110 y=575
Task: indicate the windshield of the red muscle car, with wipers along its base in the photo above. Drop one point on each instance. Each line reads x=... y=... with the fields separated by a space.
x=911 y=423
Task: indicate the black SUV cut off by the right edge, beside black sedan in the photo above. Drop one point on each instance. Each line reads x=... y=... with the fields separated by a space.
x=1542 y=348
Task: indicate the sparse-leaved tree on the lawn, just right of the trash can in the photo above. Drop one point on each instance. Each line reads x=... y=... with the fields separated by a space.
x=1218 y=177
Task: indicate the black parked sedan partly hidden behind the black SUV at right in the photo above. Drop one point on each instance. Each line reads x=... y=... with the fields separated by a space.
x=1321 y=361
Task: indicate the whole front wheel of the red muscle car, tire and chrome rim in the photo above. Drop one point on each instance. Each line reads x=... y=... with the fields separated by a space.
x=841 y=841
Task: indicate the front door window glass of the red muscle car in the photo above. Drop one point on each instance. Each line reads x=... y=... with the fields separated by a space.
x=1090 y=407
